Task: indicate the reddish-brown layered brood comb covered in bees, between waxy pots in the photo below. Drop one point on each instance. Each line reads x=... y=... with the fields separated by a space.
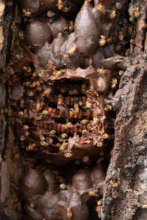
x=54 y=120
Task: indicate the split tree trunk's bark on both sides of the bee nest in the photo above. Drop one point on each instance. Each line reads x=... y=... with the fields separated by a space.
x=125 y=188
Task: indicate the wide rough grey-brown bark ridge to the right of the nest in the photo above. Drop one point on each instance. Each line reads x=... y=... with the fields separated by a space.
x=125 y=193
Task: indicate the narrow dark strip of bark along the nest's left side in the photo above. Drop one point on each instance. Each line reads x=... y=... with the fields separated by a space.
x=9 y=167
